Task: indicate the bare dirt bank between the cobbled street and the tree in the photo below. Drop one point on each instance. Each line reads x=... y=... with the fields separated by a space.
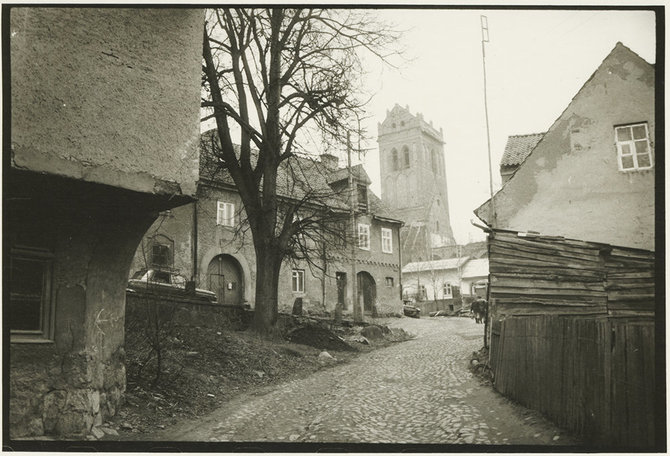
x=202 y=368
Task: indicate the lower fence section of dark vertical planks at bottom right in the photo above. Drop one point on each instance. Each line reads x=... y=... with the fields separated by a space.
x=595 y=377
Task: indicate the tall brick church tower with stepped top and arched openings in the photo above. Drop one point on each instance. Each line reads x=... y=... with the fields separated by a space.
x=414 y=182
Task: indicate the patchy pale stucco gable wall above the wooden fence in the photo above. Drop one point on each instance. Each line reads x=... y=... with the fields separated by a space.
x=570 y=185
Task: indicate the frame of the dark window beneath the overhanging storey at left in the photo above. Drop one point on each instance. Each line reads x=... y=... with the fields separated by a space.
x=45 y=333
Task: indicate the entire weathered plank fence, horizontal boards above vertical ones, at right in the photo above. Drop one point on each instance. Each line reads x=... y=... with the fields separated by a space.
x=572 y=333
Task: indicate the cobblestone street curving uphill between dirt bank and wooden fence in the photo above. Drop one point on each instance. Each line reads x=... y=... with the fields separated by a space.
x=418 y=391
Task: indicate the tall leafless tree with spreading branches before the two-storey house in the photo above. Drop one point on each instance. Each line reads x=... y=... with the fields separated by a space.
x=279 y=76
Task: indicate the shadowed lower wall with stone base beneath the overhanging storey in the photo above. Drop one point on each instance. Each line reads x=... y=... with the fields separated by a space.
x=74 y=379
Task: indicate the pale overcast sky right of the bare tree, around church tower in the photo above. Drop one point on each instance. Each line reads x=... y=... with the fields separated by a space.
x=536 y=61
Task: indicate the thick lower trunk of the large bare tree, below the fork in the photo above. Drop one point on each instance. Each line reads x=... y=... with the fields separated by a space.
x=268 y=264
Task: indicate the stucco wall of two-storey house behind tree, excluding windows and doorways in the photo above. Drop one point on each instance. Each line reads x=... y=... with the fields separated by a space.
x=214 y=240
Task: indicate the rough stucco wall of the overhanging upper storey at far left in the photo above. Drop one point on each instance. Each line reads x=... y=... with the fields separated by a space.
x=93 y=90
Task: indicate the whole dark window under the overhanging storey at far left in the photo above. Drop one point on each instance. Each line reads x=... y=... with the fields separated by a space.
x=30 y=294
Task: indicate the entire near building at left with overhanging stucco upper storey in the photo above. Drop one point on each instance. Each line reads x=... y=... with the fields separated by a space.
x=87 y=96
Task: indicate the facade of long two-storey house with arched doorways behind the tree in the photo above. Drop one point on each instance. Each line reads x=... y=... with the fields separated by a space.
x=209 y=241
